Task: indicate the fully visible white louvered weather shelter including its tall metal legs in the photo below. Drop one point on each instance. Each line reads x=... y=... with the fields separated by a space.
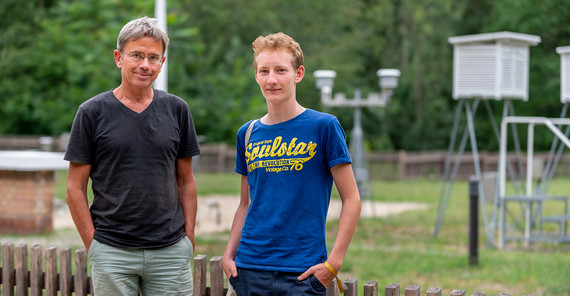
x=488 y=66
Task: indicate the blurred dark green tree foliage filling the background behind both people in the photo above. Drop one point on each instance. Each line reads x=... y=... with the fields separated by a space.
x=55 y=54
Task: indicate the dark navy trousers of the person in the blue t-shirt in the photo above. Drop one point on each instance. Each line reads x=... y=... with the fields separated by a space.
x=256 y=282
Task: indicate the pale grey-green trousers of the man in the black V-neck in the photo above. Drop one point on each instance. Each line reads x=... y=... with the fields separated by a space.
x=164 y=271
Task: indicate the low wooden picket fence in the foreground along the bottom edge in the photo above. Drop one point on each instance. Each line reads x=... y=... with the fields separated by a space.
x=20 y=279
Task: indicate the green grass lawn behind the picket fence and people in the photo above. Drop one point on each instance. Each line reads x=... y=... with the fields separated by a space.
x=402 y=249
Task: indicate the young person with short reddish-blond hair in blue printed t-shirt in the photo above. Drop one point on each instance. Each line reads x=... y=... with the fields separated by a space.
x=288 y=165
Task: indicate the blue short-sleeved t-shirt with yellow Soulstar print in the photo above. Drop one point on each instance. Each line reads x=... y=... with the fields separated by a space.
x=288 y=171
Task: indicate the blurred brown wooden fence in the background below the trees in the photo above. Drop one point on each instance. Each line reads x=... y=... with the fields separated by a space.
x=396 y=165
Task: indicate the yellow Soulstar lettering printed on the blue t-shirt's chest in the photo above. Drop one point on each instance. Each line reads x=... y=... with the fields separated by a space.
x=291 y=156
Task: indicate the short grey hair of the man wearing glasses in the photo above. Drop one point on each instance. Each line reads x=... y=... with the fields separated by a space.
x=139 y=28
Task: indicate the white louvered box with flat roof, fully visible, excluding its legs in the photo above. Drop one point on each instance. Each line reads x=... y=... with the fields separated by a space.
x=491 y=65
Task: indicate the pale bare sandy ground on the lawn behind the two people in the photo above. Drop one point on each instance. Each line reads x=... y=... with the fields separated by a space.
x=215 y=213
